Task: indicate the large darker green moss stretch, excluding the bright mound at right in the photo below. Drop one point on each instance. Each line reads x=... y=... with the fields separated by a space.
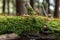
x=19 y=25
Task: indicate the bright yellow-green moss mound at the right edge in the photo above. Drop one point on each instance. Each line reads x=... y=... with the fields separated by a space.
x=54 y=25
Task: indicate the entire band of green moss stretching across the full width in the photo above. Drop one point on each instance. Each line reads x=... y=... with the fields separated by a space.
x=19 y=25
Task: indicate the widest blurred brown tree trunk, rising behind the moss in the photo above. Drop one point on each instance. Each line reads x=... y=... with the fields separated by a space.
x=20 y=7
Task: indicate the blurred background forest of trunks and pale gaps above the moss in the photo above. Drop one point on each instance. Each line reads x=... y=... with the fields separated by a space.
x=41 y=7
